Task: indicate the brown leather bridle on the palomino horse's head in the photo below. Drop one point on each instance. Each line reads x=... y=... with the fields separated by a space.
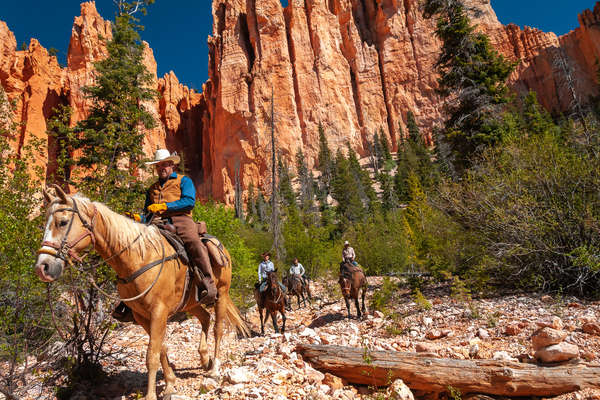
x=65 y=250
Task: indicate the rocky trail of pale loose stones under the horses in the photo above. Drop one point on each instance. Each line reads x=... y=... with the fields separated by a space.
x=267 y=367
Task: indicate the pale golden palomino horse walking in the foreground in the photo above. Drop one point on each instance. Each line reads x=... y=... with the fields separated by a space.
x=141 y=256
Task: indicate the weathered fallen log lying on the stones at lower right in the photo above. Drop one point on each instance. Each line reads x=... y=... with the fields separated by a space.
x=427 y=374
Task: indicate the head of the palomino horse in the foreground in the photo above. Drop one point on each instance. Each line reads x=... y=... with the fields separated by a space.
x=68 y=232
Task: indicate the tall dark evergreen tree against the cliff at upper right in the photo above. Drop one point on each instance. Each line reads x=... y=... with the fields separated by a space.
x=474 y=74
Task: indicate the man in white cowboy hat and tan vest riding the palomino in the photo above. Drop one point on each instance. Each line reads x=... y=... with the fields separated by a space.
x=170 y=200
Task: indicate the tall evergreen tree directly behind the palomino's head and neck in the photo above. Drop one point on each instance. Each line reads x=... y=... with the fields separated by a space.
x=111 y=136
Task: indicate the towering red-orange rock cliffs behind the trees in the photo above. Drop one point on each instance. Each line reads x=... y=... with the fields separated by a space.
x=353 y=66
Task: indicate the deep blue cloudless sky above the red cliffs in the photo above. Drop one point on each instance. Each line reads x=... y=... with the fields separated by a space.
x=177 y=29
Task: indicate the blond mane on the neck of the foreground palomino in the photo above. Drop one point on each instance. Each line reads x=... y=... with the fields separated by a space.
x=122 y=231
